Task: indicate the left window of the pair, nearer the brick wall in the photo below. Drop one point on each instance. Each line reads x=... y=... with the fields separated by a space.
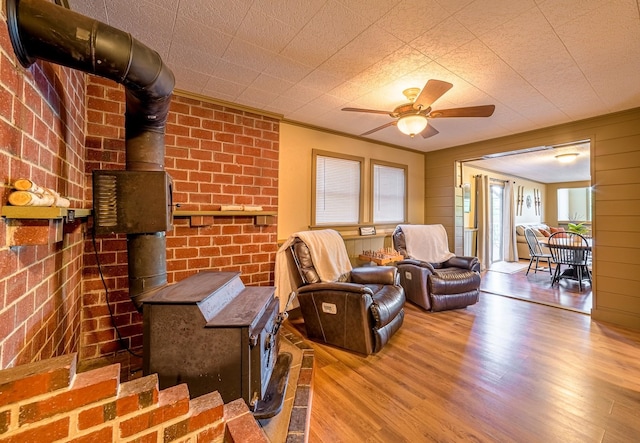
x=337 y=189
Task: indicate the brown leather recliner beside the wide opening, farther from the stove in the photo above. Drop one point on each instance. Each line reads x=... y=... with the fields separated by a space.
x=452 y=284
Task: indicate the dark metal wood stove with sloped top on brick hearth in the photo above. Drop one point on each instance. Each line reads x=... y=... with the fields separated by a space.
x=214 y=334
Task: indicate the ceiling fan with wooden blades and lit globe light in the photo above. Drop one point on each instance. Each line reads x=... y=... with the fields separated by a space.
x=411 y=118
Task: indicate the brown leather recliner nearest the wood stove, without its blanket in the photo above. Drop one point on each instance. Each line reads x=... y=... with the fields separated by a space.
x=360 y=312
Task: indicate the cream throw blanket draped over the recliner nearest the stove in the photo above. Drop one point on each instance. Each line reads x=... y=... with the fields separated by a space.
x=329 y=256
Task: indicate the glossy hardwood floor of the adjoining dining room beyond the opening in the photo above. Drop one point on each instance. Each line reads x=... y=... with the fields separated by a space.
x=537 y=287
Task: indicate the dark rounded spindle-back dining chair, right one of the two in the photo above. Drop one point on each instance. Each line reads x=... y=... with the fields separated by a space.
x=572 y=251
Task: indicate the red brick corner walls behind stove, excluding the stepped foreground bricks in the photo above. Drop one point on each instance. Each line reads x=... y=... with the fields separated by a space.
x=53 y=300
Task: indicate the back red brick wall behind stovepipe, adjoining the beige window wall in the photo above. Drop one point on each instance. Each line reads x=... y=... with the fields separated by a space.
x=216 y=156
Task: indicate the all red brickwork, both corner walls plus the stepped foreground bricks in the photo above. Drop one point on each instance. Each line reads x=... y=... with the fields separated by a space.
x=55 y=129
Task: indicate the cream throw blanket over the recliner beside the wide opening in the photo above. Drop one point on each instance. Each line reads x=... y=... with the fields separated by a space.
x=427 y=243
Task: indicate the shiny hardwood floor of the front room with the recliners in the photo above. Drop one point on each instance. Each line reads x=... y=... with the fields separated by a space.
x=503 y=370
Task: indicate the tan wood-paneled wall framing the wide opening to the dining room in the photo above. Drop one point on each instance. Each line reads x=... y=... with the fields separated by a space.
x=615 y=174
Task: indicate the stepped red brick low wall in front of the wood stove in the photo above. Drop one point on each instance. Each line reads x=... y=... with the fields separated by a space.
x=48 y=401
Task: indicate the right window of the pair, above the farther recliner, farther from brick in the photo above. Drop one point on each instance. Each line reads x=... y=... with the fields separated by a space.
x=389 y=192
